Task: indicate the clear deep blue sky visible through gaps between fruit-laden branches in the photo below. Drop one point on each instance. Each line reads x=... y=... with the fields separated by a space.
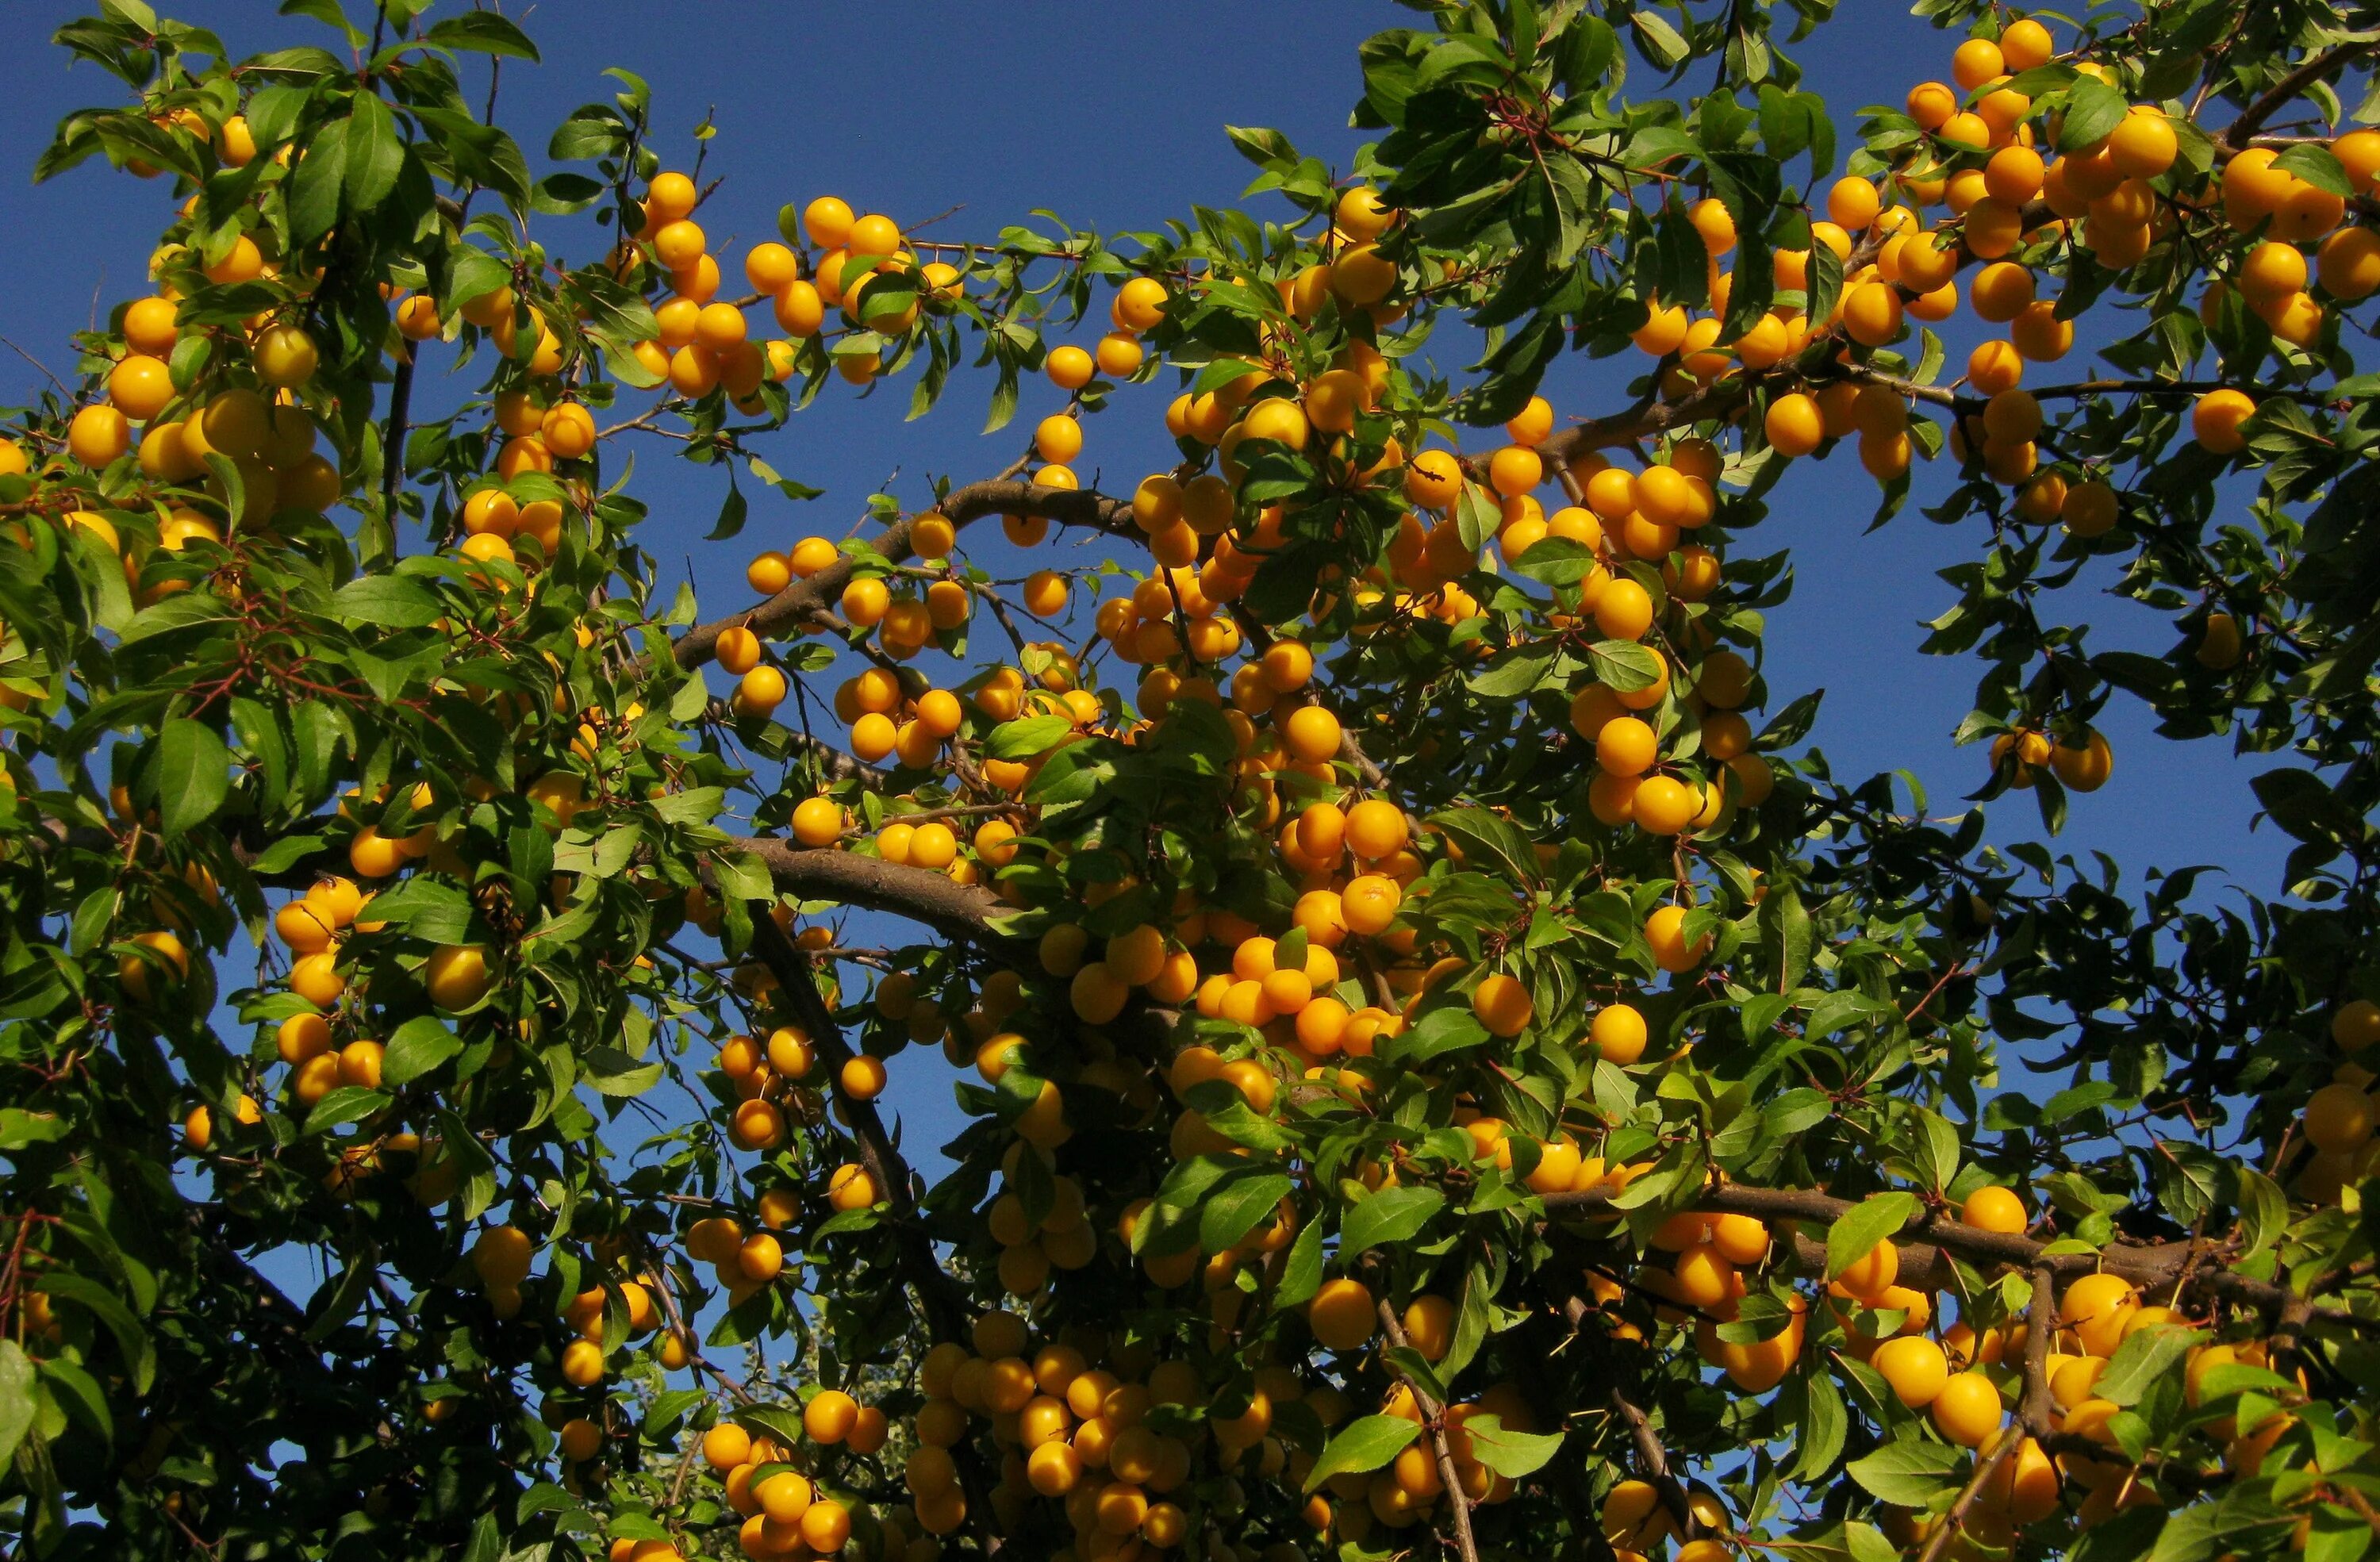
x=1113 y=115
